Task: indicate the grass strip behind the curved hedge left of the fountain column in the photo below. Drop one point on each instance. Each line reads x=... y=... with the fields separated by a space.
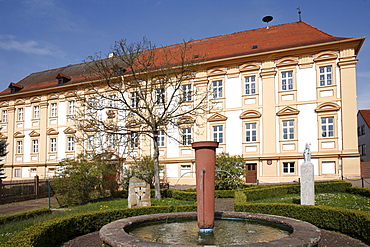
x=11 y=229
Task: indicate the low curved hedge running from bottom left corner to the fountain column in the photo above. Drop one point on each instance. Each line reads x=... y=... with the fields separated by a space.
x=54 y=232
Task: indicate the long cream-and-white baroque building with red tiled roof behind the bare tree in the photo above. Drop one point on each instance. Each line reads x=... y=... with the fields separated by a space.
x=275 y=89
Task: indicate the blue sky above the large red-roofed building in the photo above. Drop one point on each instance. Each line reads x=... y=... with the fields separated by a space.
x=37 y=35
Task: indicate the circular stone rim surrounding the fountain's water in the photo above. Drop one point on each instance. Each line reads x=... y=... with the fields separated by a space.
x=304 y=233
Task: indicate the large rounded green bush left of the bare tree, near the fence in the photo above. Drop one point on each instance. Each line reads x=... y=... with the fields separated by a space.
x=82 y=180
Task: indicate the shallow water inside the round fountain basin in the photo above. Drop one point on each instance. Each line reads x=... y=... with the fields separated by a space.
x=226 y=232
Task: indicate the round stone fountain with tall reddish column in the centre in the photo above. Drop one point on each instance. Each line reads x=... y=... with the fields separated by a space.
x=298 y=233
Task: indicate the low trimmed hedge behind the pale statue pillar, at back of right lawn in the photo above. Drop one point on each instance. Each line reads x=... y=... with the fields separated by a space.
x=266 y=191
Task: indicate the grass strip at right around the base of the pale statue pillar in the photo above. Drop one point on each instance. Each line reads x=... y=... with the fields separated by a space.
x=341 y=200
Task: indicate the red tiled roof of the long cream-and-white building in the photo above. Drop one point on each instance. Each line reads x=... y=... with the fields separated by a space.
x=279 y=37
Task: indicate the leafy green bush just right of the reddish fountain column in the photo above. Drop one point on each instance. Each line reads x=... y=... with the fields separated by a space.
x=230 y=172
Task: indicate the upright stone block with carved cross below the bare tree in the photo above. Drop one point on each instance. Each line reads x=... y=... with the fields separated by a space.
x=138 y=193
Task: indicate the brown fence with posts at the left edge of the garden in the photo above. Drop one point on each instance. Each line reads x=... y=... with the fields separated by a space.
x=22 y=190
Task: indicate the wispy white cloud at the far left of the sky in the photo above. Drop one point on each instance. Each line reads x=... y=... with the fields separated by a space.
x=10 y=43
